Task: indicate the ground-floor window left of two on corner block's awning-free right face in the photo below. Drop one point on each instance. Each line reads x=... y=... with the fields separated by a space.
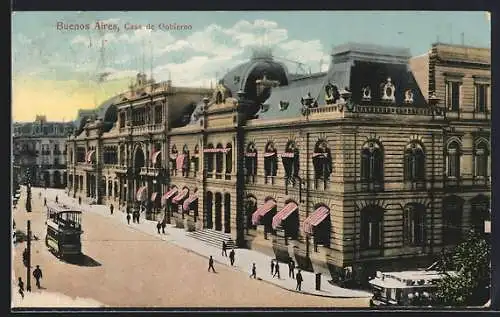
x=371 y=227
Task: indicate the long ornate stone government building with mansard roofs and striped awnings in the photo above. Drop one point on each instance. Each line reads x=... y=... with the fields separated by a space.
x=378 y=163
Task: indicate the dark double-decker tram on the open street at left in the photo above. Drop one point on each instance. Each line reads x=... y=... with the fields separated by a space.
x=64 y=230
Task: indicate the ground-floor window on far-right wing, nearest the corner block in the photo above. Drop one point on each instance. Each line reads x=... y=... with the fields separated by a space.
x=452 y=219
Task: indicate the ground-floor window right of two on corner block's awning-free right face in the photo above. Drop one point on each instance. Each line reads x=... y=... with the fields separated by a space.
x=414 y=224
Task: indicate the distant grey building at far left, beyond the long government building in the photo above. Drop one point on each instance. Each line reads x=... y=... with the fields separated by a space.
x=40 y=147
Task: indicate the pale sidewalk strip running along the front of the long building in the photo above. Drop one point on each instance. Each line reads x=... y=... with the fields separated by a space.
x=243 y=258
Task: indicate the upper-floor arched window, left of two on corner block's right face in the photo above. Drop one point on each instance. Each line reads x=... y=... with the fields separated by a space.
x=372 y=164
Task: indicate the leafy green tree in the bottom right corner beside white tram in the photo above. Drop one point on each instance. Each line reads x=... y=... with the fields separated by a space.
x=471 y=262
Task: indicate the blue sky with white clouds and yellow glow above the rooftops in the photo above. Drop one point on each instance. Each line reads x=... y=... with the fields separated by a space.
x=58 y=71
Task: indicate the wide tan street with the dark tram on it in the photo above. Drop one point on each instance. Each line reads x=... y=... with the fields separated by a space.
x=123 y=267
